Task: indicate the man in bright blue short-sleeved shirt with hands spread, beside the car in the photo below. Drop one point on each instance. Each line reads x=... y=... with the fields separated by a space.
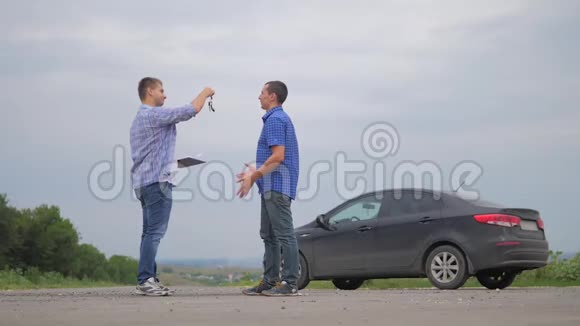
x=276 y=174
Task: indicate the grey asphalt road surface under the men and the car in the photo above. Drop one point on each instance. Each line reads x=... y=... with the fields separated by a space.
x=227 y=306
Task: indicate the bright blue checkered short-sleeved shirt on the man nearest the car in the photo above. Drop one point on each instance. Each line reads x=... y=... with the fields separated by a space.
x=278 y=130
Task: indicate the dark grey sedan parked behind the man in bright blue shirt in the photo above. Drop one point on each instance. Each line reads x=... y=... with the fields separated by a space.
x=417 y=233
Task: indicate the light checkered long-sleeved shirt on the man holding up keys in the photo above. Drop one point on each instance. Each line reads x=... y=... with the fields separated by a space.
x=152 y=140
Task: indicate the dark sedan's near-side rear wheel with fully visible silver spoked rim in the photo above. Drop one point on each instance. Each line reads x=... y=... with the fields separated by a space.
x=446 y=268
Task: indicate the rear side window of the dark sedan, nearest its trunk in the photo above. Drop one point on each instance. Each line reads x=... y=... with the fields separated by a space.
x=406 y=203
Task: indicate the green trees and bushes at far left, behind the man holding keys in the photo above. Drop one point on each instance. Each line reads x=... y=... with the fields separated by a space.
x=42 y=239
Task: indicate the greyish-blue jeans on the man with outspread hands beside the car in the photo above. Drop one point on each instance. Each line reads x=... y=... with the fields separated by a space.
x=277 y=231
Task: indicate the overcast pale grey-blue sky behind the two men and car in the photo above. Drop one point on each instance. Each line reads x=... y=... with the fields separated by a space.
x=493 y=82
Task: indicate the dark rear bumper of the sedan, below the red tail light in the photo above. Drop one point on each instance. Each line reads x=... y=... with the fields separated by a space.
x=527 y=254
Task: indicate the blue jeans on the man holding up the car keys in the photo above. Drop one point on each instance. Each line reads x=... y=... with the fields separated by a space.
x=156 y=203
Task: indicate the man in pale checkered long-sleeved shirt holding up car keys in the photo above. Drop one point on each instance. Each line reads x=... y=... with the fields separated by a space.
x=152 y=140
